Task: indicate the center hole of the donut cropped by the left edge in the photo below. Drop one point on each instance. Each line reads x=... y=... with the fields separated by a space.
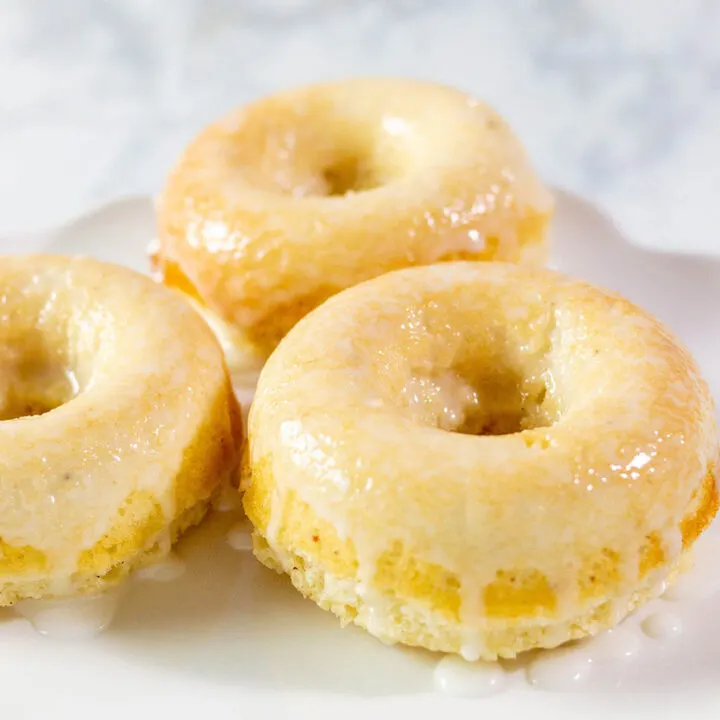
x=34 y=377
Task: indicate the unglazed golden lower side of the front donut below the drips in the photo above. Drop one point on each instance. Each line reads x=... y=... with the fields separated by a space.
x=421 y=602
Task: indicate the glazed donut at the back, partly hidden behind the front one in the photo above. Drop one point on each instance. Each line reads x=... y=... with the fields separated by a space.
x=284 y=203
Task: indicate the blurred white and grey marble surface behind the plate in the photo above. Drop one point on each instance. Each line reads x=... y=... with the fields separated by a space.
x=617 y=100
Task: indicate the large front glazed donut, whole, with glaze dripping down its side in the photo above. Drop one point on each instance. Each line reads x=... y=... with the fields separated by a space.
x=479 y=458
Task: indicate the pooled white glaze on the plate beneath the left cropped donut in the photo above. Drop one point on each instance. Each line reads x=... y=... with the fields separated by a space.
x=71 y=619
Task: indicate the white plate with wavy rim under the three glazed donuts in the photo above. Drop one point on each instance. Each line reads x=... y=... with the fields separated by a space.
x=229 y=638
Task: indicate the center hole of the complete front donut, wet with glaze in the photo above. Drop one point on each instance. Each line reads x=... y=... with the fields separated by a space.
x=462 y=365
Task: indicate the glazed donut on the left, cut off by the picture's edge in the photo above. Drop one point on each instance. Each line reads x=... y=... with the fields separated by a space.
x=117 y=424
